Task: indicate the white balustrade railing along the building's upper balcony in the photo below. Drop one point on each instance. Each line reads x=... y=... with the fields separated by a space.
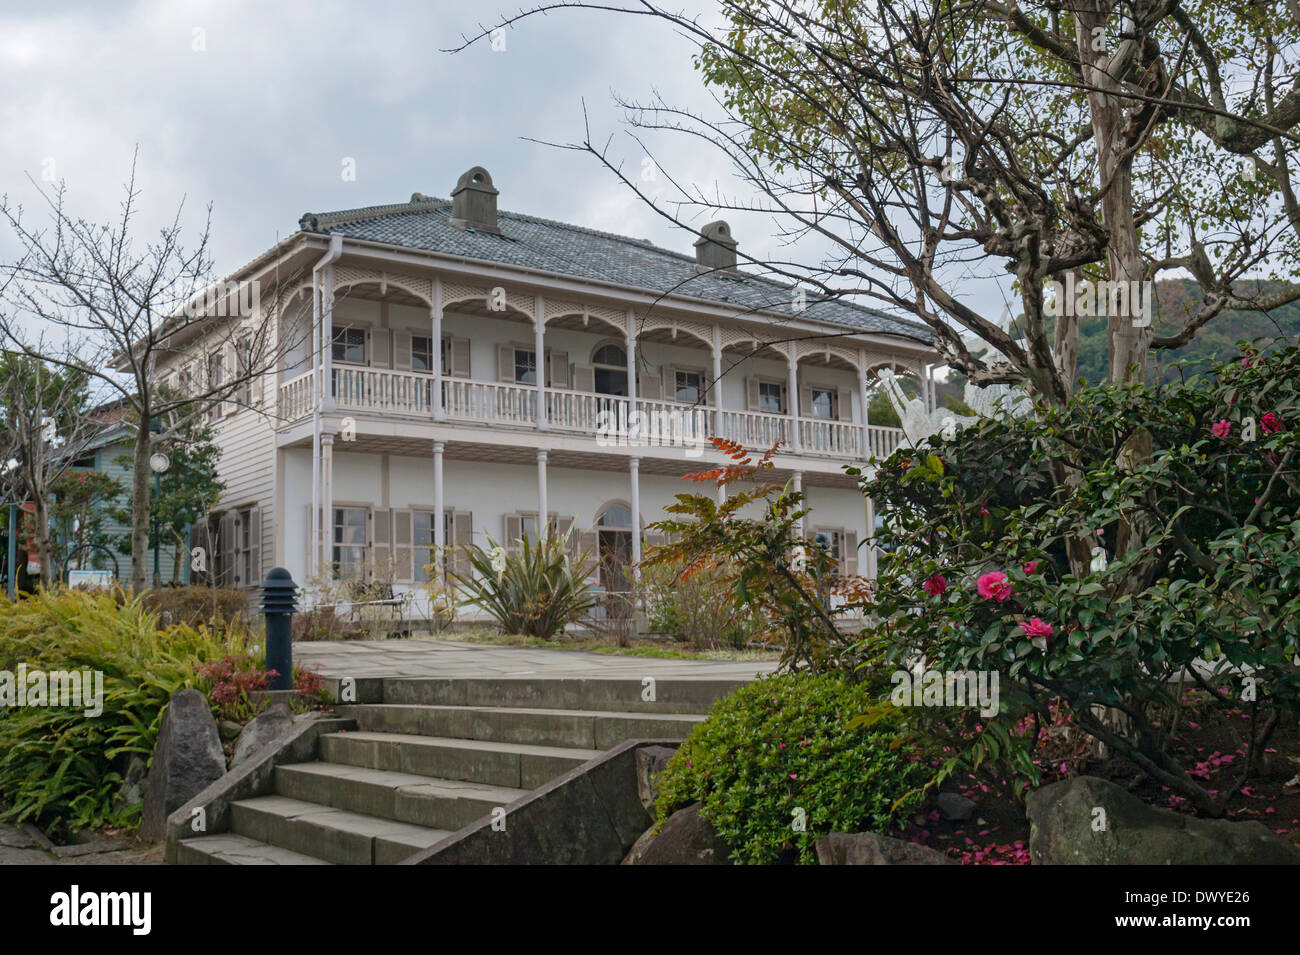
x=606 y=419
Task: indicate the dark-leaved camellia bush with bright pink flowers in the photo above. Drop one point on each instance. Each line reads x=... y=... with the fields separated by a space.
x=1097 y=555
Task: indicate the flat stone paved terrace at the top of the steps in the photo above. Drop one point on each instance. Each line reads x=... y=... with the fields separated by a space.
x=423 y=658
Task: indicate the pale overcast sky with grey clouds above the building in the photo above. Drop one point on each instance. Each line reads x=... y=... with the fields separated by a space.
x=255 y=107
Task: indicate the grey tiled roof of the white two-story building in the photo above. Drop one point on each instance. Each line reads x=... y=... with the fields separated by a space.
x=541 y=245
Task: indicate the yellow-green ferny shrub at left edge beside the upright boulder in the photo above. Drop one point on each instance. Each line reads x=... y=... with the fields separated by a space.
x=59 y=766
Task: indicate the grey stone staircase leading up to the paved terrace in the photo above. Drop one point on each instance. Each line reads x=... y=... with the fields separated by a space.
x=434 y=757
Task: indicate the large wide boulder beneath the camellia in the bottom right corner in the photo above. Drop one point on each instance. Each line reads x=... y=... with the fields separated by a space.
x=1091 y=822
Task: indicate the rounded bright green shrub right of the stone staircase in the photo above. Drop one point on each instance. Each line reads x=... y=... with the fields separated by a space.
x=782 y=745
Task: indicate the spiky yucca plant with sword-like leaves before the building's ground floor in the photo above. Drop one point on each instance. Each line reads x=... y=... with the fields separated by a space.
x=536 y=592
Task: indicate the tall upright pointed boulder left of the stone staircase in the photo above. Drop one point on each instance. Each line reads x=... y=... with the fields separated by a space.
x=187 y=761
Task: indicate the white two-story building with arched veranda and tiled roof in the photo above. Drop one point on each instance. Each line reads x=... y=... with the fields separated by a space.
x=453 y=374
